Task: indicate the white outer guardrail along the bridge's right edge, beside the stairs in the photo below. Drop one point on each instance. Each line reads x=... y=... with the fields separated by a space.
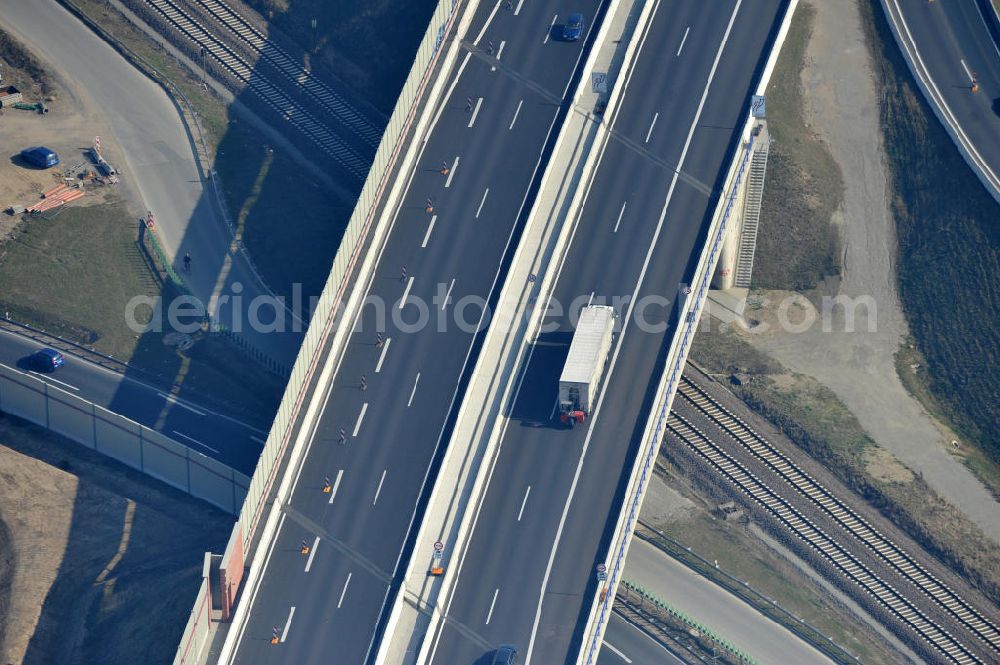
x=688 y=316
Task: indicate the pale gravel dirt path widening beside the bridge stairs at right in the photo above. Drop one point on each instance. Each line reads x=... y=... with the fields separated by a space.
x=841 y=106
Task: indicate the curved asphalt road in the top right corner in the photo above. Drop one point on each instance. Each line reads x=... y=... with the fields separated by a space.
x=955 y=43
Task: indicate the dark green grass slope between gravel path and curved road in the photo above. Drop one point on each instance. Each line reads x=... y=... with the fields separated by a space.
x=949 y=251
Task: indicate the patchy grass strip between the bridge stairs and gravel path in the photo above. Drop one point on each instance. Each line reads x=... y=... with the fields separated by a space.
x=797 y=244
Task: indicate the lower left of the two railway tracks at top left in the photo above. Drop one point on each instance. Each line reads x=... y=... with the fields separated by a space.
x=271 y=95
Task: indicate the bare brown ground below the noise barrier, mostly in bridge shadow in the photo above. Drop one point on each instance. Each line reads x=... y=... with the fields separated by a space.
x=98 y=564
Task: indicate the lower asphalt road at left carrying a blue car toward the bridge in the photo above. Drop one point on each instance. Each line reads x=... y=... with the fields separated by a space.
x=234 y=442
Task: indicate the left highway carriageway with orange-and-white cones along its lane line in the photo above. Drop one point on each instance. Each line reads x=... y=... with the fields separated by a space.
x=391 y=398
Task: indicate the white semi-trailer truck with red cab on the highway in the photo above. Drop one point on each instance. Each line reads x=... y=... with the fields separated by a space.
x=588 y=354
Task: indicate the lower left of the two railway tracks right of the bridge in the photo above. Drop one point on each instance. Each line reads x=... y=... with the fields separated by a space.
x=883 y=593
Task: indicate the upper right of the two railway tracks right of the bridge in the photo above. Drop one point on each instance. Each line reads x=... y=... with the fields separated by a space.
x=880 y=545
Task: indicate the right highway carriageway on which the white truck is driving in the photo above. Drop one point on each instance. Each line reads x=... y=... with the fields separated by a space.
x=528 y=575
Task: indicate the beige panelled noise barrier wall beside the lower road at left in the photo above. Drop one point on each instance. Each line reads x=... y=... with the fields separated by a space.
x=121 y=439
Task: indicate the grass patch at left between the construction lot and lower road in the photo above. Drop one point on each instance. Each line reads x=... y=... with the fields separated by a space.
x=73 y=277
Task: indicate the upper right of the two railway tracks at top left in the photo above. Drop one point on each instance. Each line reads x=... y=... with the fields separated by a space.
x=293 y=71
